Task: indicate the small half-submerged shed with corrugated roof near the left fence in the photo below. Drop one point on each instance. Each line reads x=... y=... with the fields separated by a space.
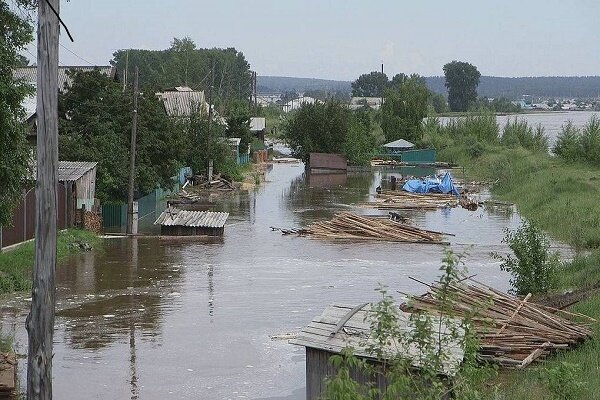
x=176 y=222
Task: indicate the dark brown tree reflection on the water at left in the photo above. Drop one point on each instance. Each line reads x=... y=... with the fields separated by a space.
x=103 y=296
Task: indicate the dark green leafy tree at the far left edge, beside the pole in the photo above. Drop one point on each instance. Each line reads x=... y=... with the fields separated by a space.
x=15 y=34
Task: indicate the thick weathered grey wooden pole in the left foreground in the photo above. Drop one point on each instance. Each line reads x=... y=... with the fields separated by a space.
x=40 y=321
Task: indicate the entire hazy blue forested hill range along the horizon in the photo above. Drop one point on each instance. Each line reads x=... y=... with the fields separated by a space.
x=490 y=86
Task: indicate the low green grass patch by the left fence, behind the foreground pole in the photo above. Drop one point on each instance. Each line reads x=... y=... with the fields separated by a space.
x=16 y=264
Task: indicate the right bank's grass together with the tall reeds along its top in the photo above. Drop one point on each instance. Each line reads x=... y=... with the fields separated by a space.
x=558 y=193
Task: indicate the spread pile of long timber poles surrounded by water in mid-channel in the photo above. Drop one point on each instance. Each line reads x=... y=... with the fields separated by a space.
x=349 y=226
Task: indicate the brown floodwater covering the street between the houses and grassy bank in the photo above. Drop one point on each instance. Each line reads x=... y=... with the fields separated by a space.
x=184 y=319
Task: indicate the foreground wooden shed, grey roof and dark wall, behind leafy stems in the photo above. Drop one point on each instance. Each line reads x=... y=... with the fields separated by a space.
x=341 y=326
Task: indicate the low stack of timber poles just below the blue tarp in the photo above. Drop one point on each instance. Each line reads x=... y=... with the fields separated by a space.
x=398 y=200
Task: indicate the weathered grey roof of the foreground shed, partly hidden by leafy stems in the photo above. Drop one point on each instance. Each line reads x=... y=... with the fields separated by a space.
x=342 y=325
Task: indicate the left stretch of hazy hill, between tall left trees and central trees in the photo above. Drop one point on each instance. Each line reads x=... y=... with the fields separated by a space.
x=280 y=84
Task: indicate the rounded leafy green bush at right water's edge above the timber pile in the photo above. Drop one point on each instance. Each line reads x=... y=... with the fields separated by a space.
x=533 y=267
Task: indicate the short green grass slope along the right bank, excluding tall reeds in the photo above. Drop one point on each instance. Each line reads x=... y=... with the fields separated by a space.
x=562 y=198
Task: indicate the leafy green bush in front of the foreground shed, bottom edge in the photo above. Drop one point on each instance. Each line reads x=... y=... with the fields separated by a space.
x=426 y=340
